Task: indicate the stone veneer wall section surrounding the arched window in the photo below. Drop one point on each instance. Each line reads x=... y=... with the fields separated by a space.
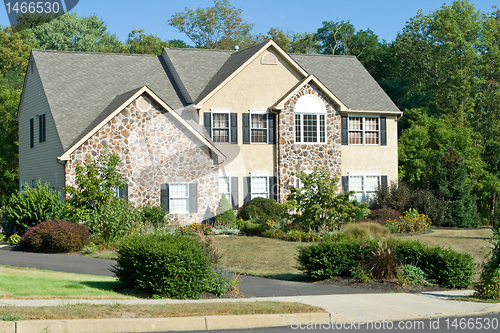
x=305 y=157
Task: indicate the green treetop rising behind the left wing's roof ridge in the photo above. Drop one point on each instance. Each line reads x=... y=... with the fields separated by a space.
x=72 y=33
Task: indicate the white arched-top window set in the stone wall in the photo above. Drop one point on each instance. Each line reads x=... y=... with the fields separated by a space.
x=310 y=120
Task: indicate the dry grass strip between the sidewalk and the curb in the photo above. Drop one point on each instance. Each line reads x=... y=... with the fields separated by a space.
x=90 y=311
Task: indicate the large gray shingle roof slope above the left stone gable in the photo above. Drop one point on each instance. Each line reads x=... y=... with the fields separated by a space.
x=81 y=87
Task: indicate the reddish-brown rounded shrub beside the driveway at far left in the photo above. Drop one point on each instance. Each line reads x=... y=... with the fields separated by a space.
x=55 y=237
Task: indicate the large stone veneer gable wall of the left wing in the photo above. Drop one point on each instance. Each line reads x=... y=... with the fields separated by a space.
x=154 y=149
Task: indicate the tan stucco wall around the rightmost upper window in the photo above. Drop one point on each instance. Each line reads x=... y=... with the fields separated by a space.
x=369 y=158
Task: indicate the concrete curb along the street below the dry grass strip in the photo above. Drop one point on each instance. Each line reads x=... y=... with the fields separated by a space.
x=124 y=325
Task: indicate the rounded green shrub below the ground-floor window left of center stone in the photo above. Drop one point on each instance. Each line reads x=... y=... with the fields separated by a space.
x=261 y=208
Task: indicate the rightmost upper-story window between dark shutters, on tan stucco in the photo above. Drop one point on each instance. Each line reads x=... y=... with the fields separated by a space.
x=364 y=130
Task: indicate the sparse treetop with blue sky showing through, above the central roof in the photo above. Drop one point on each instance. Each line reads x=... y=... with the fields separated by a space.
x=217 y=27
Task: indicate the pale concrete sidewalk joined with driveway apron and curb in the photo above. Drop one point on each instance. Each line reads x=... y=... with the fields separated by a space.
x=352 y=308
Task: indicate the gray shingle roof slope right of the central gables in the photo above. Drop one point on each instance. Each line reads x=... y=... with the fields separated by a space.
x=347 y=79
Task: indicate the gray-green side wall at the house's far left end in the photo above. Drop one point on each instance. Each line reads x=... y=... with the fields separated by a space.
x=39 y=162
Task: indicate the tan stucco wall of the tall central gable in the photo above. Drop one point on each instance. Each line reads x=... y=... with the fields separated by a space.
x=256 y=87
